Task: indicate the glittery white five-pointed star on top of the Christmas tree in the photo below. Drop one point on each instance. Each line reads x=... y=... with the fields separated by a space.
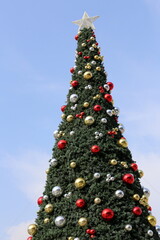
x=86 y=21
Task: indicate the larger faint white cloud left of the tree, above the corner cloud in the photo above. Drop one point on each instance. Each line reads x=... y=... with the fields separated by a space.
x=28 y=170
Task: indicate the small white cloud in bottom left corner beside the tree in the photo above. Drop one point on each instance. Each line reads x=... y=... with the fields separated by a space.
x=18 y=231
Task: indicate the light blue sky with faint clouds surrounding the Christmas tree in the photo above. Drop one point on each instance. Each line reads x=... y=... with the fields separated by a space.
x=36 y=52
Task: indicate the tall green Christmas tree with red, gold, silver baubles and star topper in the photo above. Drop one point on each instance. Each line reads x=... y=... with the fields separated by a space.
x=93 y=188
